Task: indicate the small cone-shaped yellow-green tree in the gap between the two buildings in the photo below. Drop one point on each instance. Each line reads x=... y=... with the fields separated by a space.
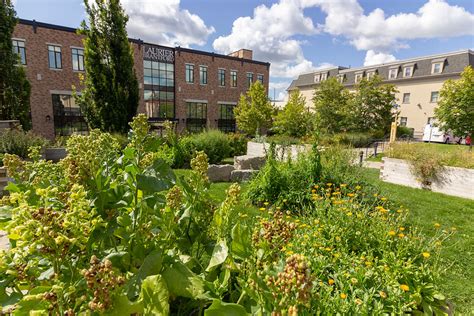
x=295 y=119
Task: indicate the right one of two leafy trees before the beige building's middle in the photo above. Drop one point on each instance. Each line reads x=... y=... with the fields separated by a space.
x=371 y=109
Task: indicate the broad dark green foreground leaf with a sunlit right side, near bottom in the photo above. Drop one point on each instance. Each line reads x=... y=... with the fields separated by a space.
x=182 y=281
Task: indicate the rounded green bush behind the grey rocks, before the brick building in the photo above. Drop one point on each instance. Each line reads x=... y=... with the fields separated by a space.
x=213 y=142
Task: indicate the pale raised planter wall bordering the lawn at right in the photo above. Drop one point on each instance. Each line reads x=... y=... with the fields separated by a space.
x=452 y=180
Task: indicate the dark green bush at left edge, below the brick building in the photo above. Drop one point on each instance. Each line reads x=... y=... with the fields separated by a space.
x=17 y=142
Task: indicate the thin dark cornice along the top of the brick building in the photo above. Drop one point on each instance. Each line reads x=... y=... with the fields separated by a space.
x=35 y=24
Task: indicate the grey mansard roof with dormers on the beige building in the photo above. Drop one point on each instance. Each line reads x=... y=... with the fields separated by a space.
x=454 y=63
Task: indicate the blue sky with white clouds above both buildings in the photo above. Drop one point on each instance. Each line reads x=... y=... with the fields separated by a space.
x=295 y=36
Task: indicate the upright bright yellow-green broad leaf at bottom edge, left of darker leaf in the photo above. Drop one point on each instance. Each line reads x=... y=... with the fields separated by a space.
x=155 y=296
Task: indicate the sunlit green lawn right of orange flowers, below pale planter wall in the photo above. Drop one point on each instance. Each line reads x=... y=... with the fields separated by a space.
x=457 y=257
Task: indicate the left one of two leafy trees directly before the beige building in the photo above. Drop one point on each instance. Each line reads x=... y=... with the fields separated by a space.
x=330 y=104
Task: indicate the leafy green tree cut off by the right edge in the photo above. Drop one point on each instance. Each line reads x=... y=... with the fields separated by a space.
x=455 y=109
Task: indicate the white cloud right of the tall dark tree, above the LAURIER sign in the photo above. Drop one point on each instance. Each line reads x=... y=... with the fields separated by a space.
x=165 y=22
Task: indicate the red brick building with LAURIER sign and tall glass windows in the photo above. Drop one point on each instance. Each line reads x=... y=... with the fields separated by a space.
x=193 y=88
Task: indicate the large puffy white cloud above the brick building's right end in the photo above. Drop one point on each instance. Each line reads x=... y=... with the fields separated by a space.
x=269 y=33
